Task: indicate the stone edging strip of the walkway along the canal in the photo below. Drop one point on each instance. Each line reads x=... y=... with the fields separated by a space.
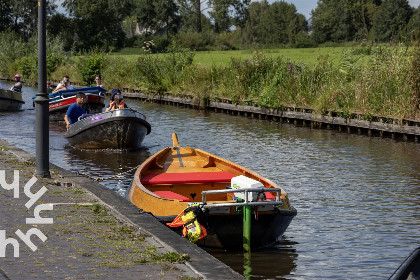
x=201 y=263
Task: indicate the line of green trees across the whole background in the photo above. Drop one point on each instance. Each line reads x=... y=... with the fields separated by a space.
x=213 y=24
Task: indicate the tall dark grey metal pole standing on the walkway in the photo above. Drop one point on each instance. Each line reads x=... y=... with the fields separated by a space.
x=41 y=100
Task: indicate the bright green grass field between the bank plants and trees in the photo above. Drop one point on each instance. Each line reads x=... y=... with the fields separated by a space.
x=222 y=58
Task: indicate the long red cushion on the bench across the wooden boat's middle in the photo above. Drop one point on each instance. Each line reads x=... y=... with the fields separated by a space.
x=183 y=178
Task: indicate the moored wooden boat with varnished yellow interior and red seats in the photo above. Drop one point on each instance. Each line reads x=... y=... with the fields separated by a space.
x=176 y=177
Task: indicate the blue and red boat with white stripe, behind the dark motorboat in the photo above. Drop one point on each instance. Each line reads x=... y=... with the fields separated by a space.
x=61 y=100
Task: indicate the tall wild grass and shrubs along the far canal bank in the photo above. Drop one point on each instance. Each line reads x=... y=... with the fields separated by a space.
x=387 y=83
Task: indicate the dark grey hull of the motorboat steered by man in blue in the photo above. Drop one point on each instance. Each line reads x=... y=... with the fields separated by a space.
x=116 y=129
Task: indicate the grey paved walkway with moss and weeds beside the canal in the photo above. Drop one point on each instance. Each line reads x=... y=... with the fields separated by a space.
x=78 y=235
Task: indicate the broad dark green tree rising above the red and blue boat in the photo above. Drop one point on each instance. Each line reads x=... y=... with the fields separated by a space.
x=98 y=23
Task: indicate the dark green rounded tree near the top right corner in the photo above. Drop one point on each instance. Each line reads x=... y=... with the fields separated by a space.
x=392 y=19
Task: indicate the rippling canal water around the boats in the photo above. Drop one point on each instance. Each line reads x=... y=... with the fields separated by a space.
x=358 y=198
